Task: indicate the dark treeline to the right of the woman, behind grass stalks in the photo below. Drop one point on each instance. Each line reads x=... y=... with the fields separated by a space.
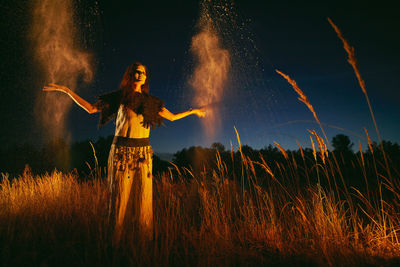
x=348 y=160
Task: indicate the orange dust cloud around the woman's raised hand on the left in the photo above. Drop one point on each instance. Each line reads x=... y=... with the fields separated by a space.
x=56 y=48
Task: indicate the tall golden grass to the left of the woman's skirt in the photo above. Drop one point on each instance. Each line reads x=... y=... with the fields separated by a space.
x=47 y=219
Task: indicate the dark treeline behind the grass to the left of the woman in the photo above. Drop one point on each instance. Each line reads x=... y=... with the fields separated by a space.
x=79 y=157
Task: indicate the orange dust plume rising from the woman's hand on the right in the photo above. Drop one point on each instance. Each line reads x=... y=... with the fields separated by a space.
x=210 y=74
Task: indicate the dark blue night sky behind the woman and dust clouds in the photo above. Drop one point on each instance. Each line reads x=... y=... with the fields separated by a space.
x=293 y=37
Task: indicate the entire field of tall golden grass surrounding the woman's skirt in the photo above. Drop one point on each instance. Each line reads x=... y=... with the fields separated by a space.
x=206 y=219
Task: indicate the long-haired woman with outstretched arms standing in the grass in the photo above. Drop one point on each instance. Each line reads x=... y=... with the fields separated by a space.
x=130 y=159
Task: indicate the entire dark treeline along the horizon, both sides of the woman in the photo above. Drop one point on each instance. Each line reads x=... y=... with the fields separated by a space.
x=300 y=164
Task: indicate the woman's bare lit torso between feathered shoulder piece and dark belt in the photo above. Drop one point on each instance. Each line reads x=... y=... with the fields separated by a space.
x=129 y=124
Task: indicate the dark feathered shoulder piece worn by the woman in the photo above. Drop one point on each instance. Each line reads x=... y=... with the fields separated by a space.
x=141 y=103
